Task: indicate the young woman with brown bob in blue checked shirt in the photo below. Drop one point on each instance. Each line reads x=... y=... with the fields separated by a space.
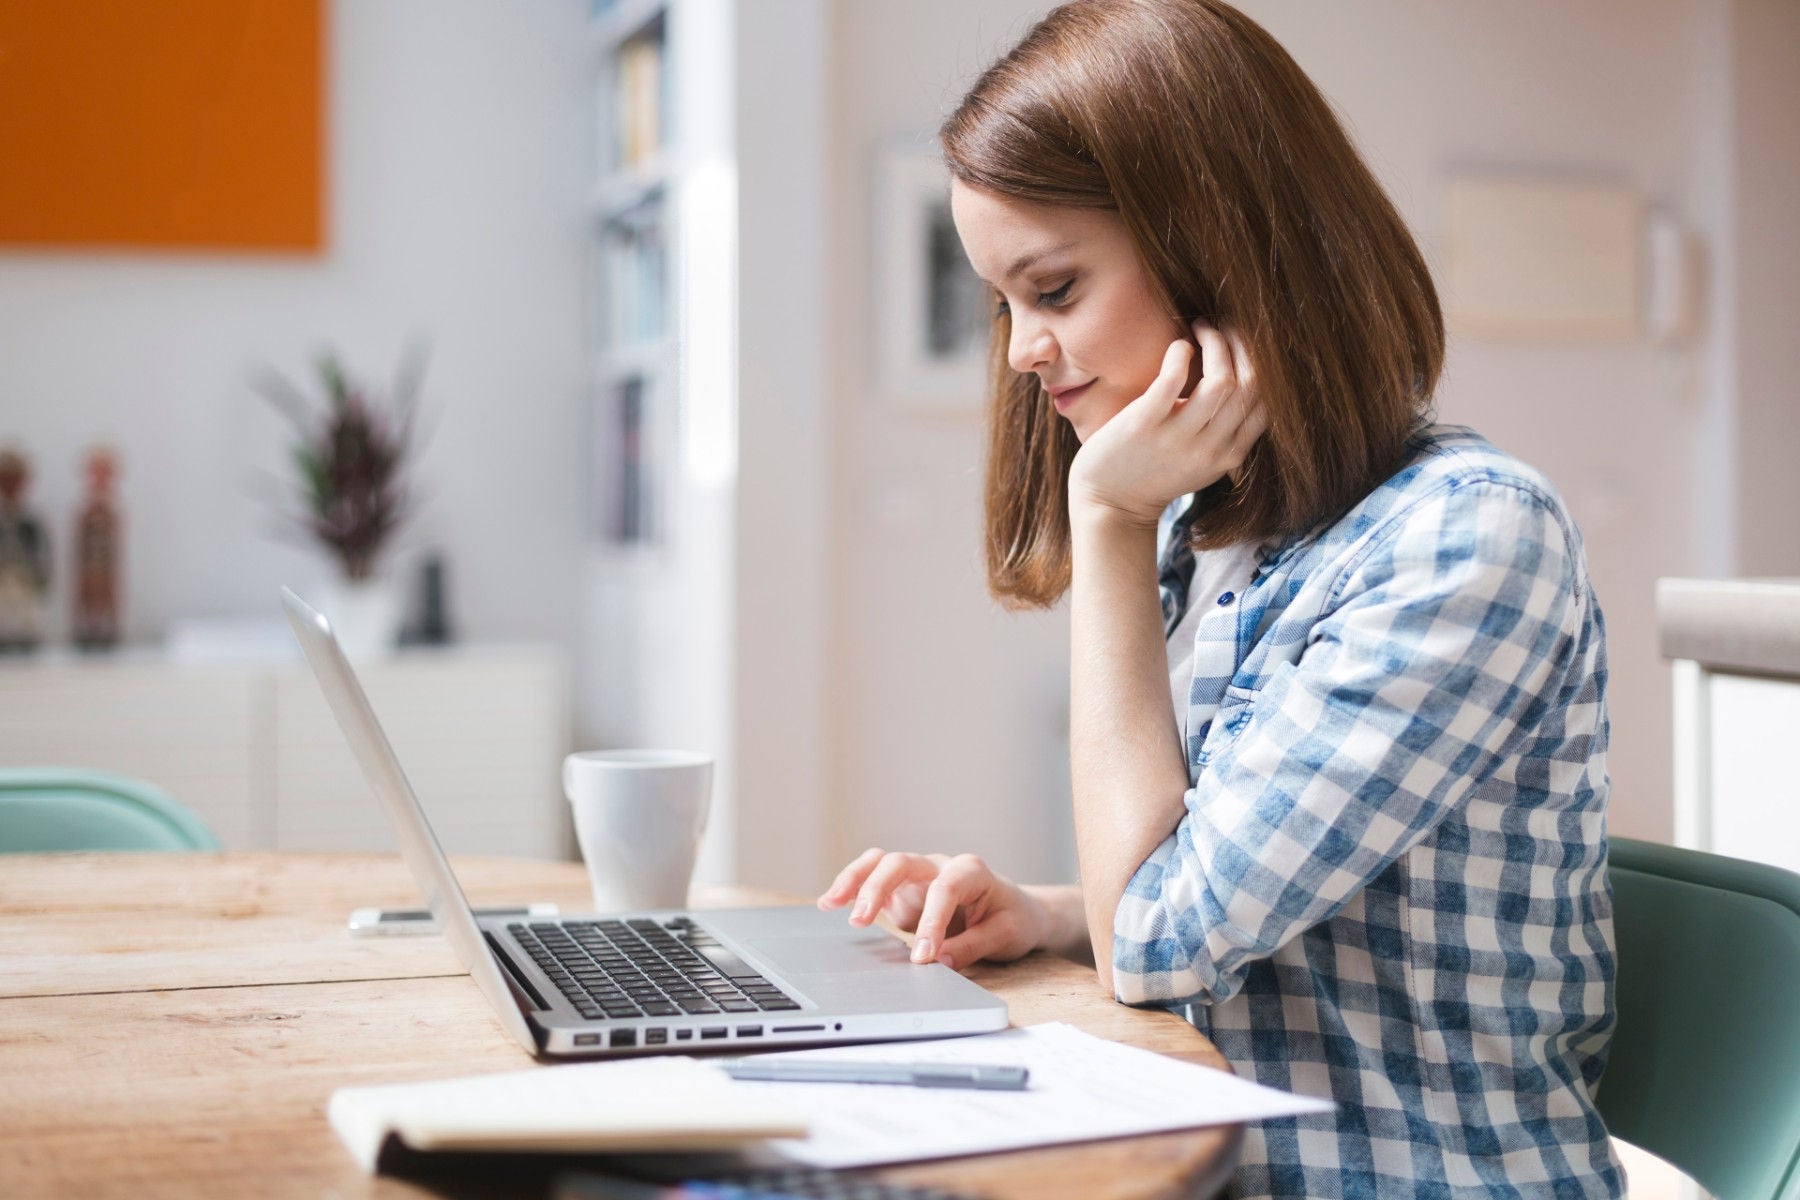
x=1365 y=850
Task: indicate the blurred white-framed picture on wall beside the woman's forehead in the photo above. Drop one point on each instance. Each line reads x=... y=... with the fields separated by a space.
x=931 y=312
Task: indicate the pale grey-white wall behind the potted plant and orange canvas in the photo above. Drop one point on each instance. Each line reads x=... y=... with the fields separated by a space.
x=458 y=157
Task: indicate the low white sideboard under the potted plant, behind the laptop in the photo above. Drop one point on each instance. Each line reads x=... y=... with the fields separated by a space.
x=256 y=753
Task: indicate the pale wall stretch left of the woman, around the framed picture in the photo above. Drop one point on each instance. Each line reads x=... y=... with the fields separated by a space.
x=949 y=717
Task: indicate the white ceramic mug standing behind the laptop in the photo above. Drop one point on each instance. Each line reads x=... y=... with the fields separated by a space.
x=638 y=816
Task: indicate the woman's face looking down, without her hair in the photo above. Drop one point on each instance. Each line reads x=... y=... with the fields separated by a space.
x=1086 y=318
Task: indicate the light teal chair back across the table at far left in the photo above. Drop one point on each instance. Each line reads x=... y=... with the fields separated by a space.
x=48 y=810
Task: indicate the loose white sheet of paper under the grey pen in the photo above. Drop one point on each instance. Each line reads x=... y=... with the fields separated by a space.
x=1081 y=1089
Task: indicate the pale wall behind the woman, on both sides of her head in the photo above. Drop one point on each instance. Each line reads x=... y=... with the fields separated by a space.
x=949 y=713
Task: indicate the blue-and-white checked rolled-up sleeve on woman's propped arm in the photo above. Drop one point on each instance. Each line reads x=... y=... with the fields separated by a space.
x=1439 y=647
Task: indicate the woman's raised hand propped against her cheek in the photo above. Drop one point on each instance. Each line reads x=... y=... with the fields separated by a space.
x=1164 y=445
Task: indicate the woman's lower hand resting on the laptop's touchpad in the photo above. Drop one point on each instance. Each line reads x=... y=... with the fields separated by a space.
x=960 y=909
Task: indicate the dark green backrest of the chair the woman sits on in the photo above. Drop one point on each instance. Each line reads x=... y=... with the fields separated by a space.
x=1705 y=1062
